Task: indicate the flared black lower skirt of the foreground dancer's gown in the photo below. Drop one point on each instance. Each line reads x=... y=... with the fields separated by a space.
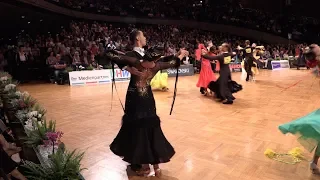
x=141 y=141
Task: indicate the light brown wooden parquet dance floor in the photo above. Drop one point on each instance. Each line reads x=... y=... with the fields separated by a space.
x=212 y=141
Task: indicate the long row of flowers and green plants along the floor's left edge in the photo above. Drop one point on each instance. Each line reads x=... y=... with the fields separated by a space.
x=41 y=134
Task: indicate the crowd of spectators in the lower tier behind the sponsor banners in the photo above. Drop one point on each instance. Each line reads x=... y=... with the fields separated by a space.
x=83 y=45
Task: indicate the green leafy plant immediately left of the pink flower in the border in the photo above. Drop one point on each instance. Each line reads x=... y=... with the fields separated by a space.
x=37 y=136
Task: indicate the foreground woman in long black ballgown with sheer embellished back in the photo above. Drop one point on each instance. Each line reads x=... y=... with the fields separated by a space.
x=140 y=140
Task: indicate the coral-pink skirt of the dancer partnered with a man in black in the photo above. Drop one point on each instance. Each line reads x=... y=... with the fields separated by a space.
x=206 y=74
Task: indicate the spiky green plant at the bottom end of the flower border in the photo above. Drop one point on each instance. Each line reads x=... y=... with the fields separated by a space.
x=62 y=165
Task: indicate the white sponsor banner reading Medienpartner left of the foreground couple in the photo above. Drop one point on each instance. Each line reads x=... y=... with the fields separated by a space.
x=89 y=77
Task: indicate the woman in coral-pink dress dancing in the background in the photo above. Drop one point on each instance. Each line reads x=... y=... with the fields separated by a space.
x=206 y=73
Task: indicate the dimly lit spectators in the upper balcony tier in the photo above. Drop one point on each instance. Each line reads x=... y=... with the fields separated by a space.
x=224 y=13
